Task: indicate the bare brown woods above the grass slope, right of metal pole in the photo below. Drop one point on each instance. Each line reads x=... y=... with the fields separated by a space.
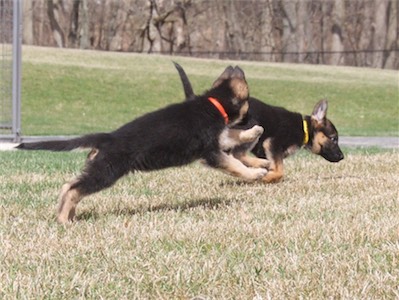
x=337 y=32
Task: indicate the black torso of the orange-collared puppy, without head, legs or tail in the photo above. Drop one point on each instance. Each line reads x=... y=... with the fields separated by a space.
x=172 y=136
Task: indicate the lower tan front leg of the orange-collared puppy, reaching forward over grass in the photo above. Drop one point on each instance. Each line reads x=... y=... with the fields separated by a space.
x=234 y=167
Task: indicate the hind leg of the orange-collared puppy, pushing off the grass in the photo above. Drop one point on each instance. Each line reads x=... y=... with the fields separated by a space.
x=100 y=172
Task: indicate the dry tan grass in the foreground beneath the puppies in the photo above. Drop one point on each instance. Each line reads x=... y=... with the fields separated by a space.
x=327 y=231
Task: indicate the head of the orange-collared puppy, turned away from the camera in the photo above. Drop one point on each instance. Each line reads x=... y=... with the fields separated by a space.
x=231 y=90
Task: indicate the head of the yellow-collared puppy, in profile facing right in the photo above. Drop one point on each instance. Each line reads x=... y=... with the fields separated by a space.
x=323 y=139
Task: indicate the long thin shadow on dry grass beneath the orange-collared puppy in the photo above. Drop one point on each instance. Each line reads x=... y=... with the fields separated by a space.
x=206 y=203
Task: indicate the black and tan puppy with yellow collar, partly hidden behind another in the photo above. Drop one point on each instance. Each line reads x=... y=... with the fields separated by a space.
x=284 y=133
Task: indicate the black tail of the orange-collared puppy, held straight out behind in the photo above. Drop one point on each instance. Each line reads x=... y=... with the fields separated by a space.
x=95 y=140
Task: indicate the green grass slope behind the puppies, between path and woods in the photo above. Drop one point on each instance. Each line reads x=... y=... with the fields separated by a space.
x=68 y=92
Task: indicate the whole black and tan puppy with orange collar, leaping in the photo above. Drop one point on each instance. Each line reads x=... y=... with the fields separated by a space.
x=173 y=136
